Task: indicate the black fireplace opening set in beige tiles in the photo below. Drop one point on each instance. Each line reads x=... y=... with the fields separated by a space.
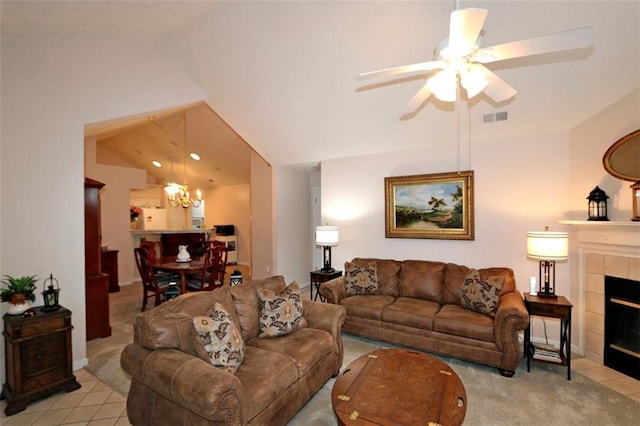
x=622 y=325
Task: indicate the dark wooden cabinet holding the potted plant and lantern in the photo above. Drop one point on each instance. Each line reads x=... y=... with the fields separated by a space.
x=38 y=357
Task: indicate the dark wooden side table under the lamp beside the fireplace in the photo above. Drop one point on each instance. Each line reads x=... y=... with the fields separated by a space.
x=560 y=308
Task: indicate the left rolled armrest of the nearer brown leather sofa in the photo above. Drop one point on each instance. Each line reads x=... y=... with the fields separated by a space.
x=181 y=377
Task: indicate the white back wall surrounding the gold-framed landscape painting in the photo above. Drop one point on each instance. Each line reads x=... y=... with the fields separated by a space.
x=520 y=184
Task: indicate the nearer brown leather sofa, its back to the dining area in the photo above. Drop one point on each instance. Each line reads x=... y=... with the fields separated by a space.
x=171 y=385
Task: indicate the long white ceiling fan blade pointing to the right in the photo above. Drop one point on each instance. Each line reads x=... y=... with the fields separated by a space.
x=565 y=40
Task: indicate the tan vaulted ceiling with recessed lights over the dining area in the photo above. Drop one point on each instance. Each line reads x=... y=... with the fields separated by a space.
x=225 y=159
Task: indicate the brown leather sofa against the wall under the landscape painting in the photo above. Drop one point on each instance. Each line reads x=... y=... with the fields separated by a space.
x=419 y=306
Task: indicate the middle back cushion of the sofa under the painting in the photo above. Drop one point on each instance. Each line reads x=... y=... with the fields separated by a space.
x=421 y=279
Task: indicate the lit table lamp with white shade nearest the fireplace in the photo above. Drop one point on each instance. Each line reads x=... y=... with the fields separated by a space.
x=547 y=247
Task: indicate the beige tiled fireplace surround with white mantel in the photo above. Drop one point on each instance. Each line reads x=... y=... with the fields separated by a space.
x=603 y=248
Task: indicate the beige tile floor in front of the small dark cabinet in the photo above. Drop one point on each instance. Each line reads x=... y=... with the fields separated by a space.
x=94 y=404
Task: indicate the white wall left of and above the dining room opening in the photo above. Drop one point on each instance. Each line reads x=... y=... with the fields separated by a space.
x=48 y=95
